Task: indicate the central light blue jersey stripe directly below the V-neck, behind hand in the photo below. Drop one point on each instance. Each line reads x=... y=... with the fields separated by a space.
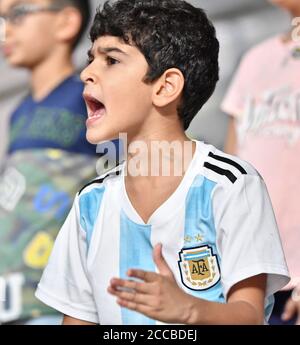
x=135 y=252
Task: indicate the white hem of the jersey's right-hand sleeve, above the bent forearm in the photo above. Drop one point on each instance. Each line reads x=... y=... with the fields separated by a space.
x=277 y=277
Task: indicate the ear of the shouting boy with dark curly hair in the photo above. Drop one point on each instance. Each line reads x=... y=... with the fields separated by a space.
x=168 y=88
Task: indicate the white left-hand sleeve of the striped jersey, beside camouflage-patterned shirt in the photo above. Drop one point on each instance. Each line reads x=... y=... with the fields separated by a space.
x=64 y=285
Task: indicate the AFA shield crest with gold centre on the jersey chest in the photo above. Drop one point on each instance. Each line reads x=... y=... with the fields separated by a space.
x=199 y=268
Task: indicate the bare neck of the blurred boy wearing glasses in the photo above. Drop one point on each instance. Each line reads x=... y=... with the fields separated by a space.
x=49 y=74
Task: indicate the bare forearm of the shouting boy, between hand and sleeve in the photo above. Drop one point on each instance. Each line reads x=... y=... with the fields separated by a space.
x=202 y=312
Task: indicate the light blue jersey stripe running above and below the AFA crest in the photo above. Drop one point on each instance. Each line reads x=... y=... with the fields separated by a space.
x=199 y=219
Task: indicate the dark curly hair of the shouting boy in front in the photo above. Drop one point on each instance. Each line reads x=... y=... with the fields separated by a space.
x=169 y=33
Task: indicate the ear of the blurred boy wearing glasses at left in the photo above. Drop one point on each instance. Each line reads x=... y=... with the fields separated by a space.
x=68 y=24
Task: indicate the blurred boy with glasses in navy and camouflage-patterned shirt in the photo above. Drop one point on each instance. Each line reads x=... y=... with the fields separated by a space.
x=48 y=159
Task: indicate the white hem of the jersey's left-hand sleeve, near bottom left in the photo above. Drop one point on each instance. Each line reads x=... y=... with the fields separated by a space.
x=64 y=307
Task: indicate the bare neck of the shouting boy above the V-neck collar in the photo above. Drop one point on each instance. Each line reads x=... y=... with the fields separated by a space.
x=148 y=191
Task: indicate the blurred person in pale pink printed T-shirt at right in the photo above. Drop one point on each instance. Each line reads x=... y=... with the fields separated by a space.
x=263 y=102
